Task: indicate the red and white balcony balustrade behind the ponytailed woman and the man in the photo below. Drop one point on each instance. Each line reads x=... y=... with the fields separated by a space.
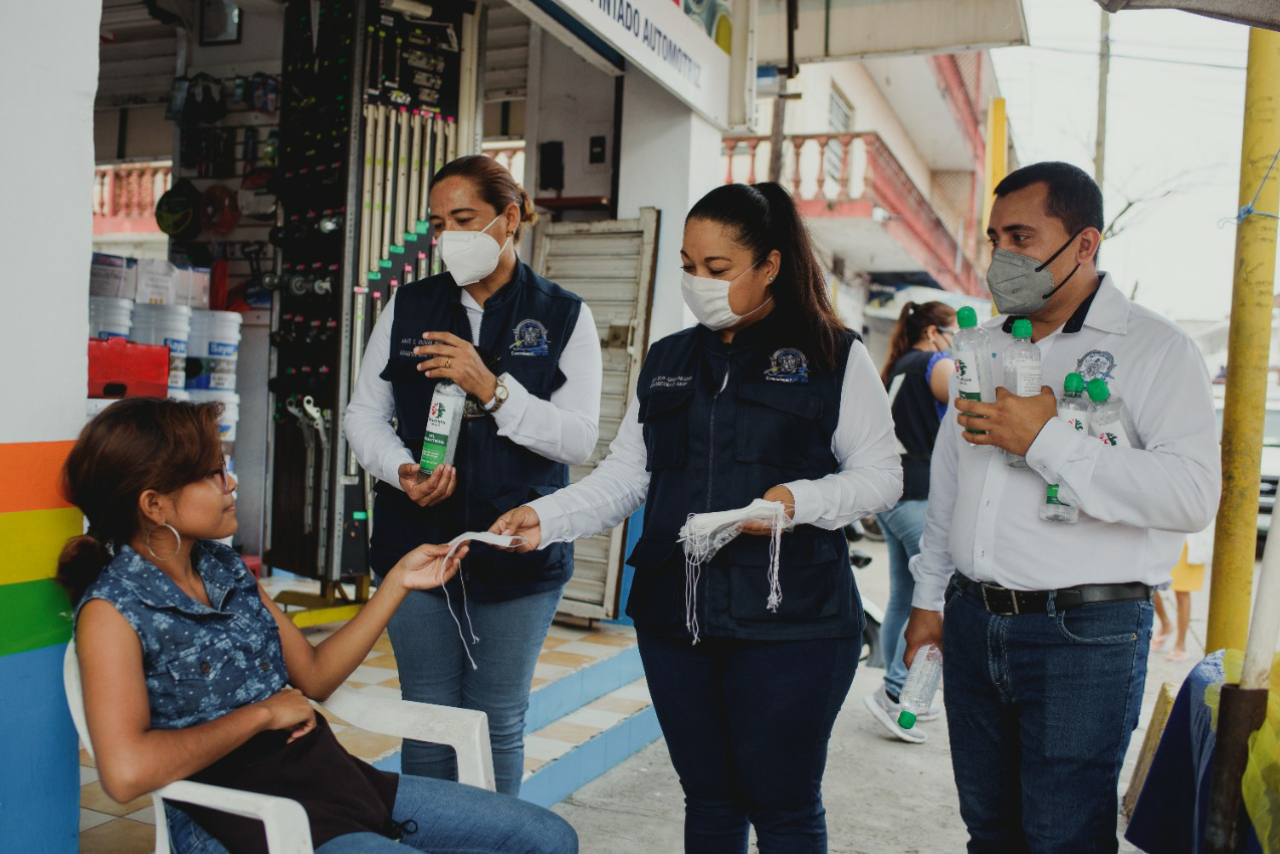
x=868 y=173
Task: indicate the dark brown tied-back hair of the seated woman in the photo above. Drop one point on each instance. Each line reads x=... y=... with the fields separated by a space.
x=132 y=446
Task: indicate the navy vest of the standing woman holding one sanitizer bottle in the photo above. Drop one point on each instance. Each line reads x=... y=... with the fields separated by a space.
x=525 y=328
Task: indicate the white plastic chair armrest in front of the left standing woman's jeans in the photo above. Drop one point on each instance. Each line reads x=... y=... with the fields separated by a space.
x=465 y=730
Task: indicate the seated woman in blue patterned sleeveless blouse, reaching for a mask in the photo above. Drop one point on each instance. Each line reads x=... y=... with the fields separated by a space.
x=190 y=672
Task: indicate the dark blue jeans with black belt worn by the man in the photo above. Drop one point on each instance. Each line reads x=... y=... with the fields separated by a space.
x=1041 y=709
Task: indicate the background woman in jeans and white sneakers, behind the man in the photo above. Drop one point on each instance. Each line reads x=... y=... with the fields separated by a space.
x=917 y=375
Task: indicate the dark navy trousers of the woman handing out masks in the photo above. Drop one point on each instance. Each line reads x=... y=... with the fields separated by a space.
x=747 y=724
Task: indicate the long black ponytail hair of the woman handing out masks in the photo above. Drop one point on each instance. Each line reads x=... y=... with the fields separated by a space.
x=765 y=218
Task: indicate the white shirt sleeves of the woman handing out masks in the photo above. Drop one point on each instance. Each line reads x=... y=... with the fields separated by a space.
x=870 y=478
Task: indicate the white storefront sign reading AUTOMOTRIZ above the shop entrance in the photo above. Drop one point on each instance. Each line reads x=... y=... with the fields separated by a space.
x=683 y=48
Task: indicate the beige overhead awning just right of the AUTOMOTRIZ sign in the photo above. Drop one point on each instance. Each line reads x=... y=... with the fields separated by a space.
x=858 y=29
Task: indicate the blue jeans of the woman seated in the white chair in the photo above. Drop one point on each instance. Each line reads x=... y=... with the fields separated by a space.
x=446 y=818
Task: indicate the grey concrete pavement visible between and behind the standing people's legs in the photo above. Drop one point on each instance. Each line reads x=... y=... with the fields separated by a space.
x=883 y=796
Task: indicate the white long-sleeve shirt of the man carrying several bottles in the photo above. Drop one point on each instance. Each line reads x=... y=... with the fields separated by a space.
x=1136 y=505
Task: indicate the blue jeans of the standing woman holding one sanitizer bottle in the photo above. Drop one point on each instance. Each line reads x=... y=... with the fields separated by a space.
x=435 y=669
